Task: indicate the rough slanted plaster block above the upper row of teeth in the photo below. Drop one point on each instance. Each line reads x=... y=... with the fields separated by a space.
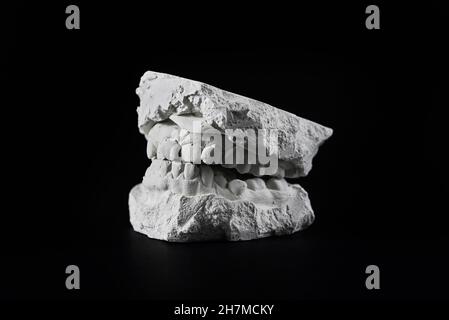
x=162 y=95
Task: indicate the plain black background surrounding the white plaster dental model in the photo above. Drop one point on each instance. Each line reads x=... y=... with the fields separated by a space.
x=73 y=151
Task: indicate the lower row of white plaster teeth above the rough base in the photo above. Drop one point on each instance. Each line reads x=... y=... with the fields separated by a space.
x=191 y=179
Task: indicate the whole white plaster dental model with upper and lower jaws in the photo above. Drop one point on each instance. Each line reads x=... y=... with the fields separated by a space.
x=218 y=164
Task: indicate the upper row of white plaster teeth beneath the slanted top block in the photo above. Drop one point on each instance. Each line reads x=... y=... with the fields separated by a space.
x=179 y=148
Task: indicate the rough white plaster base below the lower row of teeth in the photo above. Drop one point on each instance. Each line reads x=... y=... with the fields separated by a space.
x=166 y=215
